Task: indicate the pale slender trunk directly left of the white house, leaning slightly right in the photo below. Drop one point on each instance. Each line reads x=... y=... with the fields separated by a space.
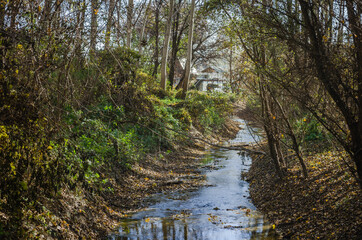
x=186 y=81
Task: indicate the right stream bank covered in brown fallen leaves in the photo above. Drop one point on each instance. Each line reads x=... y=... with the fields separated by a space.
x=326 y=205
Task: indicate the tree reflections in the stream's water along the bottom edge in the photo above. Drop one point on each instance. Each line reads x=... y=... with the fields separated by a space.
x=170 y=228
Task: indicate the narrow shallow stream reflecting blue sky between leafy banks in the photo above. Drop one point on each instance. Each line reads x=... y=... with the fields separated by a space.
x=220 y=210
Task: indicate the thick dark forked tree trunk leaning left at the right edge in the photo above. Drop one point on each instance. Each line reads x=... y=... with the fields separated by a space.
x=330 y=78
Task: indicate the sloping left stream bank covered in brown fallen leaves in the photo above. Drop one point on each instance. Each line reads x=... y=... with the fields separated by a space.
x=83 y=214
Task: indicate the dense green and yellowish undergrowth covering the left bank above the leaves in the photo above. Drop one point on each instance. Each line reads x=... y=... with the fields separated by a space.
x=79 y=137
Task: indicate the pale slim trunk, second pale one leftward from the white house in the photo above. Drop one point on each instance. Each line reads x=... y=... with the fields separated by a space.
x=165 y=47
